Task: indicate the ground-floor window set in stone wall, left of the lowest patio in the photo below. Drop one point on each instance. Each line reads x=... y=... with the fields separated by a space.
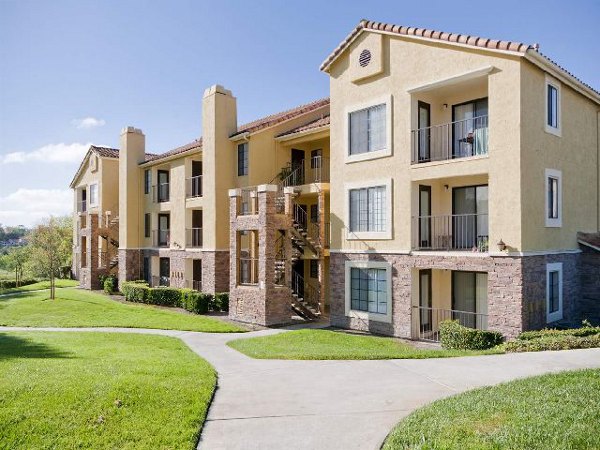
x=368 y=290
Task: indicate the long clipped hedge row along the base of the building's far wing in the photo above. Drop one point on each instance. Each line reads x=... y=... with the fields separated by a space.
x=193 y=301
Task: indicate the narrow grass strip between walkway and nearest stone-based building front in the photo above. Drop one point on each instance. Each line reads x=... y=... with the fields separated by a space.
x=329 y=344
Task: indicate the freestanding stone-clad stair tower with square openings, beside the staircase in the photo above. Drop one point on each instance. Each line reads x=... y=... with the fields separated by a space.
x=265 y=303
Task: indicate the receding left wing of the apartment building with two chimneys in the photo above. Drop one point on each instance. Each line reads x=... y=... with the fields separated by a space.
x=165 y=217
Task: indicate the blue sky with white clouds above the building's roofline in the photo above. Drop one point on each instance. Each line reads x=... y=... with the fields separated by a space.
x=76 y=72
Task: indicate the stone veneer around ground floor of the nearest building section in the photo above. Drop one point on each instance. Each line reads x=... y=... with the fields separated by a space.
x=516 y=289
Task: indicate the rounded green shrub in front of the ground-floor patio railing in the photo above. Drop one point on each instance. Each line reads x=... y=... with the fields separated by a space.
x=456 y=337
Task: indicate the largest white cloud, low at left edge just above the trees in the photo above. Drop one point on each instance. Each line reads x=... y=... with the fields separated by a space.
x=28 y=206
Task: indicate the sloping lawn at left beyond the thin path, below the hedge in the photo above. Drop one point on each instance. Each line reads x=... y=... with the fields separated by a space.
x=80 y=308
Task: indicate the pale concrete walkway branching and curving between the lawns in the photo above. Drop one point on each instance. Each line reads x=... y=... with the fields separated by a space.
x=275 y=404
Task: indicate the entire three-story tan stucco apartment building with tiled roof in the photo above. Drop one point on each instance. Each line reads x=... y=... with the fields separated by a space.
x=447 y=177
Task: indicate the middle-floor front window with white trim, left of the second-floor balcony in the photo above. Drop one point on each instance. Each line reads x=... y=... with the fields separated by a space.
x=368 y=209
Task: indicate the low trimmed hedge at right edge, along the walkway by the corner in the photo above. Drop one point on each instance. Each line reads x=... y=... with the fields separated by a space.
x=586 y=336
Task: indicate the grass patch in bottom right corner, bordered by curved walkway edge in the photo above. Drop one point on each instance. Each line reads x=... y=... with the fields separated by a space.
x=557 y=411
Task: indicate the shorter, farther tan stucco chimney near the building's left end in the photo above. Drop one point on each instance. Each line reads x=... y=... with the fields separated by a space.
x=132 y=152
